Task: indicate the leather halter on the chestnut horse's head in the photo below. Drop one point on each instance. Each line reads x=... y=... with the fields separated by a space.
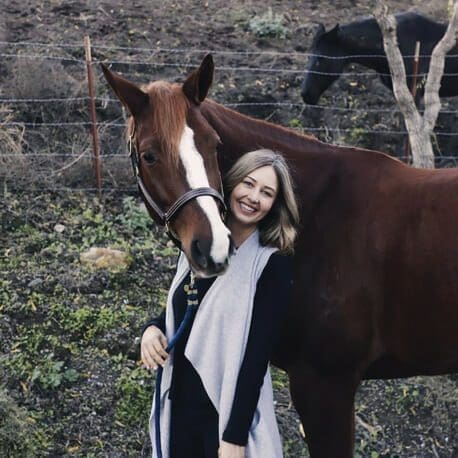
x=165 y=217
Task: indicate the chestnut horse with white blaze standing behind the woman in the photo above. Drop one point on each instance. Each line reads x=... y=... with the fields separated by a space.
x=376 y=263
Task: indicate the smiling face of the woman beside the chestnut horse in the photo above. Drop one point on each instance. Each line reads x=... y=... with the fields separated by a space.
x=253 y=197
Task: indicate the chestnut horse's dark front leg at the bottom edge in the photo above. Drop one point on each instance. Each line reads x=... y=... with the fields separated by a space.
x=326 y=407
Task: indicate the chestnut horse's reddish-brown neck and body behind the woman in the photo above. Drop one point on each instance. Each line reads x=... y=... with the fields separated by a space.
x=376 y=267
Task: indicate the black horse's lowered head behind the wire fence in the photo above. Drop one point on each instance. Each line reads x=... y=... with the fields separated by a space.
x=324 y=65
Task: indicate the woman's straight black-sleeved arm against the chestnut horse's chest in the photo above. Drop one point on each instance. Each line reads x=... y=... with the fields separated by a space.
x=272 y=296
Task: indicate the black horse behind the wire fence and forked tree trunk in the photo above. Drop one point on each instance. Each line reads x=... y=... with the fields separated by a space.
x=361 y=42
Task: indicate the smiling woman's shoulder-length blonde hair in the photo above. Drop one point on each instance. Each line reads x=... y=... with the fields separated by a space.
x=279 y=227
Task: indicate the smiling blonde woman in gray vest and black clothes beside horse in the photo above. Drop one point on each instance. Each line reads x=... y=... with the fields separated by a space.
x=217 y=393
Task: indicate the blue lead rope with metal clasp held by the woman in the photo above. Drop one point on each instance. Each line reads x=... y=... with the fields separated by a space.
x=192 y=304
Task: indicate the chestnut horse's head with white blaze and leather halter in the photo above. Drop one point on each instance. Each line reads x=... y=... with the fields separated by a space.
x=173 y=151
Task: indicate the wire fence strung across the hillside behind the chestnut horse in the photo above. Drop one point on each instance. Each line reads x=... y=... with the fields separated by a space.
x=45 y=138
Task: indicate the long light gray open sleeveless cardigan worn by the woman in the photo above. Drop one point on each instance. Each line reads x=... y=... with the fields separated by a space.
x=216 y=347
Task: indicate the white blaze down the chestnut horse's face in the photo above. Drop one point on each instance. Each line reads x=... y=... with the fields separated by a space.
x=197 y=177
